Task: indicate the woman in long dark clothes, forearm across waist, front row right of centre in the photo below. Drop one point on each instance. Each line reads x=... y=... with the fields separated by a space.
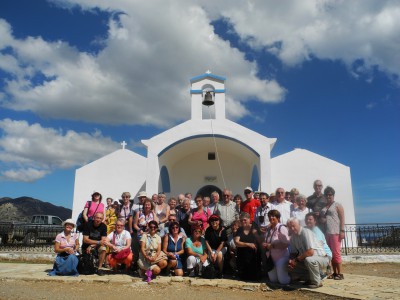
x=246 y=244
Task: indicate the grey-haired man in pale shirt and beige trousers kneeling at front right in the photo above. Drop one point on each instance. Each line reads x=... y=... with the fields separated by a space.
x=307 y=258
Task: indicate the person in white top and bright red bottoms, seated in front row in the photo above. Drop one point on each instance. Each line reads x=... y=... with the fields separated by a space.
x=119 y=241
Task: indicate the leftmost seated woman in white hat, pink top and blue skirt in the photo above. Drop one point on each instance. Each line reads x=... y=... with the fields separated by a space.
x=66 y=247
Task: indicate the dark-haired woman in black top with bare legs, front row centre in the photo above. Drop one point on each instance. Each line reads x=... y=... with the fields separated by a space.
x=216 y=239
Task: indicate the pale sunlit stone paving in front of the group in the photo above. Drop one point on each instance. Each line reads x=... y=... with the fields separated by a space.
x=354 y=286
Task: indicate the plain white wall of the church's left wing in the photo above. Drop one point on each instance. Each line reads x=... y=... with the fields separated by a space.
x=111 y=175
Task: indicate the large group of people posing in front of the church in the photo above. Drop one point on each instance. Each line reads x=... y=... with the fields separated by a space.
x=286 y=236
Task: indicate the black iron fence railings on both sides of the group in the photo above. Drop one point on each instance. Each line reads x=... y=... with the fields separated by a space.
x=383 y=238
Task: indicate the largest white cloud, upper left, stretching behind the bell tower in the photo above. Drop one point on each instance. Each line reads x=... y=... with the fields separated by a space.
x=151 y=51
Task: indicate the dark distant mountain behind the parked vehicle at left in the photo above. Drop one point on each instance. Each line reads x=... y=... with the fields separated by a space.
x=23 y=208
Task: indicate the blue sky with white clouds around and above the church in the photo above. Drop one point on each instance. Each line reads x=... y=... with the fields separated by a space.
x=79 y=77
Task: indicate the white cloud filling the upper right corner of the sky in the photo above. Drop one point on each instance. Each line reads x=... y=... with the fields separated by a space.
x=363 y=30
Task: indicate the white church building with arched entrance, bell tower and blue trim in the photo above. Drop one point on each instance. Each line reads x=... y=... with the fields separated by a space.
x=208 y=153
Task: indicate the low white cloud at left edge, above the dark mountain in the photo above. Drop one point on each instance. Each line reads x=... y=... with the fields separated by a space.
x=30 y=151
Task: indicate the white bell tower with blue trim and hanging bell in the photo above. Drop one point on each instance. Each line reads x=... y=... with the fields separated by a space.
x=209 y=90
